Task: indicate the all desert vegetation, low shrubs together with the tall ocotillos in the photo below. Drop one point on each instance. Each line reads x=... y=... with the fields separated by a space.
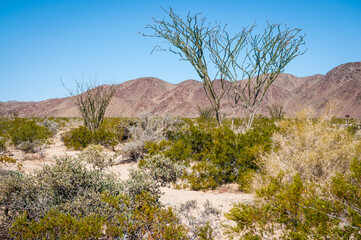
x=304 y=171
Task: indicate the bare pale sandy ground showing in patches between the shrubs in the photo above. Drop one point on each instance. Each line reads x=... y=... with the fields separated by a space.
x=221 y=199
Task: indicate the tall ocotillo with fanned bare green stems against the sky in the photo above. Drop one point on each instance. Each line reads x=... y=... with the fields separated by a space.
x=250 y=61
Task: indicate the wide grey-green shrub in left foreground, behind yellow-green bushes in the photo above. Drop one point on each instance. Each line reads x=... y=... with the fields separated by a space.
x=65 y=186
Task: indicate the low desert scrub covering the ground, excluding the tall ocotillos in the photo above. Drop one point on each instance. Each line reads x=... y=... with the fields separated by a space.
x=303 y=170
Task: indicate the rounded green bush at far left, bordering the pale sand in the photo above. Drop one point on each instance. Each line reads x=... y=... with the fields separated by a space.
x=27 y=135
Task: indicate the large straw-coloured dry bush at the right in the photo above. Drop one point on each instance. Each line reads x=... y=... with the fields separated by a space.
x=311 y=147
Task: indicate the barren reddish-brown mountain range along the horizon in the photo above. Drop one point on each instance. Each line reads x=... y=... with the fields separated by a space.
x=151 y=95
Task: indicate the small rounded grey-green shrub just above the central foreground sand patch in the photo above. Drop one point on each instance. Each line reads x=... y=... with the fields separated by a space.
x=162 y=169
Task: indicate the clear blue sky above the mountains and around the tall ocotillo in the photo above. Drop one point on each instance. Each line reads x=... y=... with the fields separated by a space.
x=42 y=42
